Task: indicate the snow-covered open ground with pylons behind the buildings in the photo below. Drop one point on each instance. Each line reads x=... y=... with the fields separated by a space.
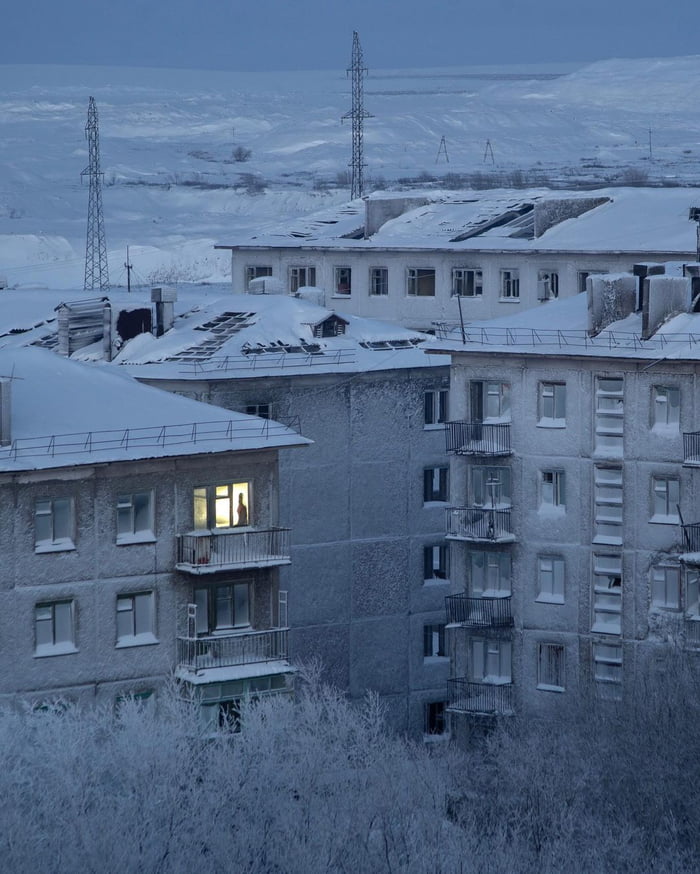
x=173 y=187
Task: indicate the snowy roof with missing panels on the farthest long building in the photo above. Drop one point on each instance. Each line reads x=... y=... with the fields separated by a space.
x=634 y=220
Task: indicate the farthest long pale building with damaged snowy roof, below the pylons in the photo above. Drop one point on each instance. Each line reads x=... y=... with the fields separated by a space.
x=419 y=258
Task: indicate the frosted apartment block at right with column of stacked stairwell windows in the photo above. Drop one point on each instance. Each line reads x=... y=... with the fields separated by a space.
x=573 y=528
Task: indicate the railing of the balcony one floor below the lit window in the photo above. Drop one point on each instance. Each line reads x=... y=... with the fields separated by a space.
x=196 y=653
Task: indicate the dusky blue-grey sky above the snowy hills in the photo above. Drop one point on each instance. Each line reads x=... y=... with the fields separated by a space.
x=317 y=34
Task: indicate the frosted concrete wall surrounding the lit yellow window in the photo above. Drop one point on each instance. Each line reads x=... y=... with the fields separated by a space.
x=97 y=570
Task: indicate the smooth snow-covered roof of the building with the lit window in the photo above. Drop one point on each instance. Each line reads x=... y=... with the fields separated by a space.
x=65 y=413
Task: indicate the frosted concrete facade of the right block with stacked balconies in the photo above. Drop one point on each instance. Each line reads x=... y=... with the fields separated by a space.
x=651 y=451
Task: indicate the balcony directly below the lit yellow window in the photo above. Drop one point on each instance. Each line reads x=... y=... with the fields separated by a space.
x=207 y=552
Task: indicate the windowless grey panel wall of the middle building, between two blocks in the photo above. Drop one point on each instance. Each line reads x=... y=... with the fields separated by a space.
x=354 y=500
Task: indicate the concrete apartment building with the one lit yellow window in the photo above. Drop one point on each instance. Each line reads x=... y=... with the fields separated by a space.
x=140 y=539
